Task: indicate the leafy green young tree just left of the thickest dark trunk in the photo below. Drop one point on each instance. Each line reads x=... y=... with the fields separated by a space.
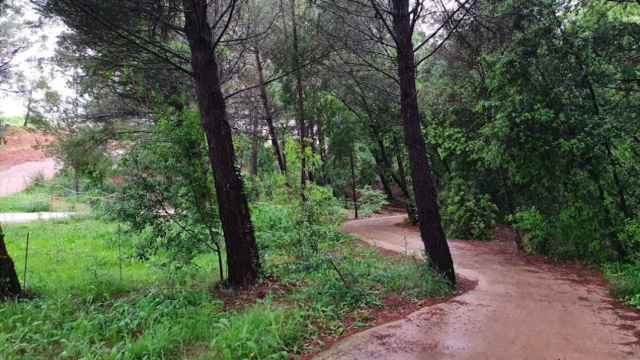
x=166 y=192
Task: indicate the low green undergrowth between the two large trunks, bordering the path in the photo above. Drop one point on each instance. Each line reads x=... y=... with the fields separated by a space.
x=302 y=245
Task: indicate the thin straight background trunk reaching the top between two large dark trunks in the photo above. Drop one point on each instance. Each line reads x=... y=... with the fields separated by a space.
x=299 y=100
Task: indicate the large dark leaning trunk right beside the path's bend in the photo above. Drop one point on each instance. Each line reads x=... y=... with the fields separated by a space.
x=431 y=230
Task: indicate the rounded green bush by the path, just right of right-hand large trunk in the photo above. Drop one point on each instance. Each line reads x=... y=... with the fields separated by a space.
x=467 y=215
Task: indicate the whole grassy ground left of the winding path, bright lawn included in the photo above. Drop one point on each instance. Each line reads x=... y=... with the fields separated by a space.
x=82 y=309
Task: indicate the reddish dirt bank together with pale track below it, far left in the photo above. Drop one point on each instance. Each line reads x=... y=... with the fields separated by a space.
x=22 y=159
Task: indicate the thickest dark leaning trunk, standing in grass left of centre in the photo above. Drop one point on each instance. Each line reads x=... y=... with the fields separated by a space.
x=243 y=262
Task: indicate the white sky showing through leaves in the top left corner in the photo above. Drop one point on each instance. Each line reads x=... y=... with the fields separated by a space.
x=43 y=45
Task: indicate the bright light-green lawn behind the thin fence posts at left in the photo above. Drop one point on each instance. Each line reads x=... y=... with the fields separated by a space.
x=74 y=257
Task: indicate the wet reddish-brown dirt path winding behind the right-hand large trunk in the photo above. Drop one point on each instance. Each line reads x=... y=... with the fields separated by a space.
x=521 y=308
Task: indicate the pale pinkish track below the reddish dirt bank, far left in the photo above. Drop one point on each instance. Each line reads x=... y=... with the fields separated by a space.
x=19 y=177
